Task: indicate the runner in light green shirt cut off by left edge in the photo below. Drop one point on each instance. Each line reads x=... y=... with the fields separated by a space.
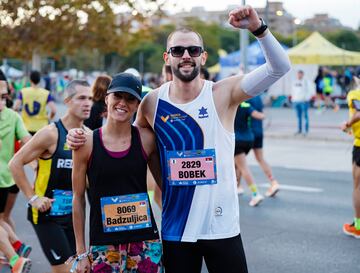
x=11 y=128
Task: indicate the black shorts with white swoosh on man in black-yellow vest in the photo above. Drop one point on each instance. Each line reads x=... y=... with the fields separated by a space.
x=57 y=239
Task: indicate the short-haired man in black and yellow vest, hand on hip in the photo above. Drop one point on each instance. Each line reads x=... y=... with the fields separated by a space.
x=50 y=200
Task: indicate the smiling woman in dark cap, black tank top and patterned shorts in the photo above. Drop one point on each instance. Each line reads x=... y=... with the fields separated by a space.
x=114 y=158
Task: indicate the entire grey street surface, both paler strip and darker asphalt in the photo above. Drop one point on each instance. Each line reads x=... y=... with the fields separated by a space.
x=299 y=231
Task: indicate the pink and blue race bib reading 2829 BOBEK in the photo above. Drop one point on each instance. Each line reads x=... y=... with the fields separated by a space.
x=191 y=168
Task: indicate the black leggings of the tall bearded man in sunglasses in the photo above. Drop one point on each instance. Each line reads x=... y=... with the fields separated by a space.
x=221 y=256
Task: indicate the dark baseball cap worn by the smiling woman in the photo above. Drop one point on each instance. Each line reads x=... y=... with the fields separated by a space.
x=127 y=83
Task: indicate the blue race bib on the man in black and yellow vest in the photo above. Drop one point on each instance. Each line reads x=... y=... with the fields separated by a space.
x=62 y=204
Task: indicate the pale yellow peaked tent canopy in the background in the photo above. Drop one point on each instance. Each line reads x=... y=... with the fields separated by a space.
x=317 y=50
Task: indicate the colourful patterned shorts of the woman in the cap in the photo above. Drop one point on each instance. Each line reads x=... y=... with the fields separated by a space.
x=139 y=257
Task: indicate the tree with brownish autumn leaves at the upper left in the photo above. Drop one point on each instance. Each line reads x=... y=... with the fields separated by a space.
x=57 y=27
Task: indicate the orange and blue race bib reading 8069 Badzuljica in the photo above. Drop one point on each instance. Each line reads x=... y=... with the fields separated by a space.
x=125 y=212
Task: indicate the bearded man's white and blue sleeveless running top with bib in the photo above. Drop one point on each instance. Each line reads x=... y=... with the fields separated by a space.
x=197 y=159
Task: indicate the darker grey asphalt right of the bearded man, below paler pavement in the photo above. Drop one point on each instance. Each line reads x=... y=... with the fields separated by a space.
x=300 y=231
